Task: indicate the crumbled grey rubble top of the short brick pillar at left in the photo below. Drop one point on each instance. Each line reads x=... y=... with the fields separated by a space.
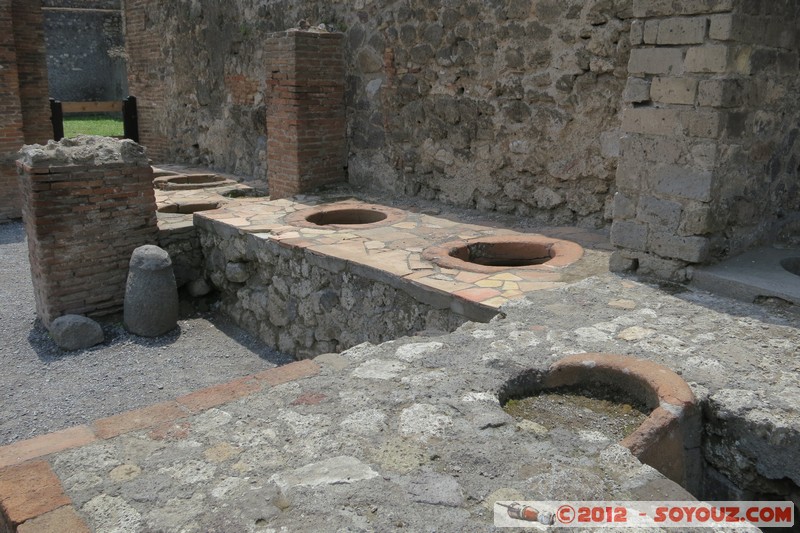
x=84 y=150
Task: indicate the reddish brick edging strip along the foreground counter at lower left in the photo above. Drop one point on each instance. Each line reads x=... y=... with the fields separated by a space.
x=32 y=499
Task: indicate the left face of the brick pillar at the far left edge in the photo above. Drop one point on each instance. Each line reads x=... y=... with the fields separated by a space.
x=11 y=137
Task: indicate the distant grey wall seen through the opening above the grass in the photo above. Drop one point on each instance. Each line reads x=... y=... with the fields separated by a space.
x=85 y=50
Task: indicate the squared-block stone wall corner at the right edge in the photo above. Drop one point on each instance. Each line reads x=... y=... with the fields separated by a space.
x=710 y=154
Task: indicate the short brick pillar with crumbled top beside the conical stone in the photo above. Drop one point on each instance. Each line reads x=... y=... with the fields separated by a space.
x=84 y=217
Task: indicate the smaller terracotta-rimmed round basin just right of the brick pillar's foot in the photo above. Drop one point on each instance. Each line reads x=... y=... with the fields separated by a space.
x=346 y=215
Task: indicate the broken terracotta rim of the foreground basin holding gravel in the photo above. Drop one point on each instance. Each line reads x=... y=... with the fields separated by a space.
x=668 y=440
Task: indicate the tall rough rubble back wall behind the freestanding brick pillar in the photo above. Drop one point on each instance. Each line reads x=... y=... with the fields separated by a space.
x=501 y=105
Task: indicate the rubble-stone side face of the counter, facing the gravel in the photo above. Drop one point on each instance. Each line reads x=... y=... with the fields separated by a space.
x=305 y=304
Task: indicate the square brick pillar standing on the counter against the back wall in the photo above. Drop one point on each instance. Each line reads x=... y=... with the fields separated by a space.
x=305 y=118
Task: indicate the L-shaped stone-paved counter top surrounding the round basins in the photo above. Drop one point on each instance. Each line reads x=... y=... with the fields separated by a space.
x=410 y=434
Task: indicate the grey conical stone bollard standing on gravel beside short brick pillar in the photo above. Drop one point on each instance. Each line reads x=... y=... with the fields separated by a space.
x=151 y=294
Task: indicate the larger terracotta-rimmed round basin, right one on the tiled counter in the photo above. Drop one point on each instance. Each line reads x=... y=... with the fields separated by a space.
x=495 y=254
